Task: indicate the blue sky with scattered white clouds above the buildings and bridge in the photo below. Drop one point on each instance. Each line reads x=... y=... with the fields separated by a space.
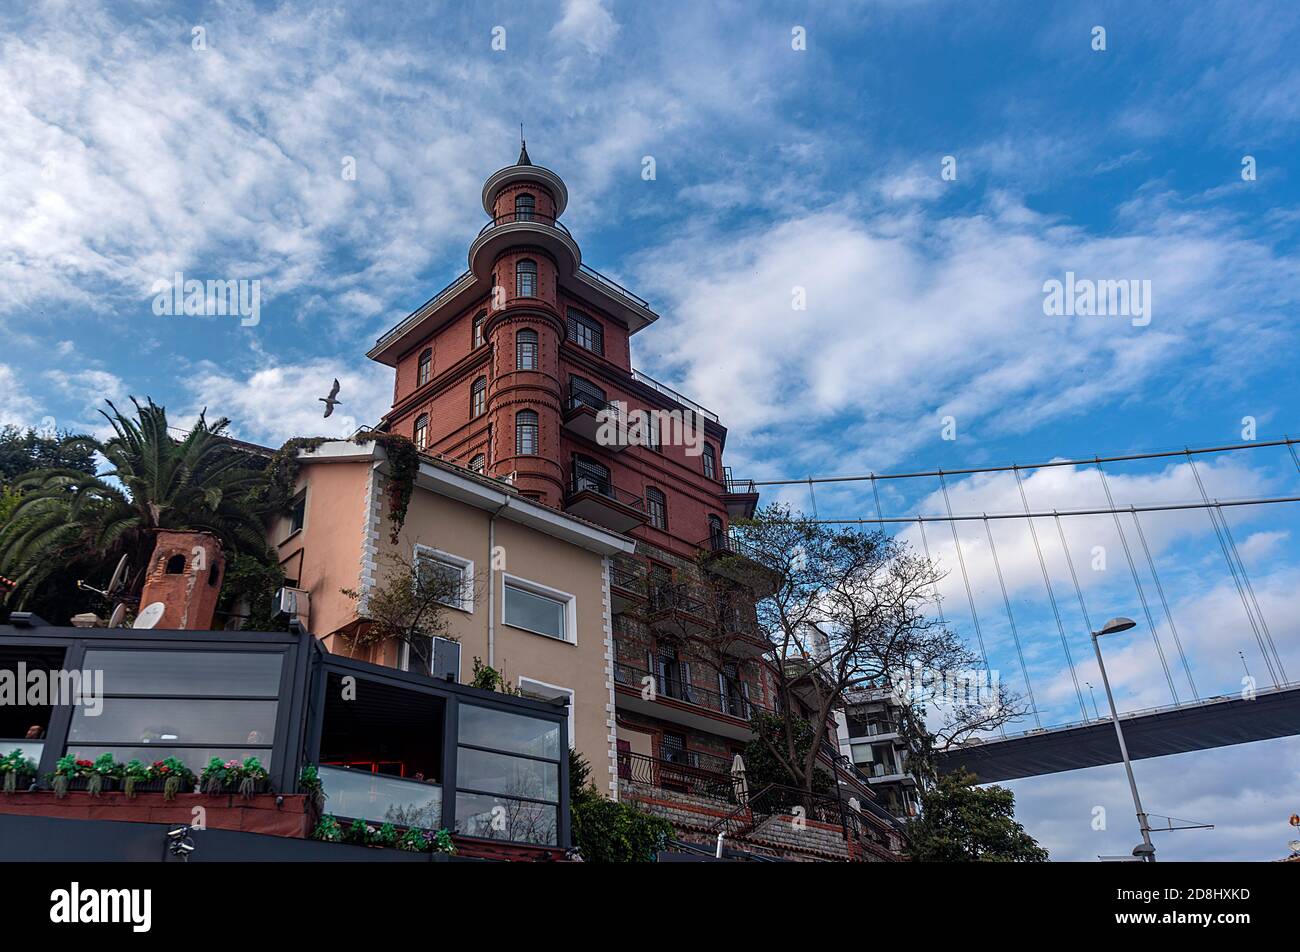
x=131 y=155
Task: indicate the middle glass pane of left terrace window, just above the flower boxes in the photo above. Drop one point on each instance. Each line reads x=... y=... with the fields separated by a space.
x=176 y=721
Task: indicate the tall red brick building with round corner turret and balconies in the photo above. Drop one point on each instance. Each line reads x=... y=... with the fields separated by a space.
x=522 y=369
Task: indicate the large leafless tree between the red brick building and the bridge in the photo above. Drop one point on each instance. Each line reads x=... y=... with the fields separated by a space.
x=839 y=609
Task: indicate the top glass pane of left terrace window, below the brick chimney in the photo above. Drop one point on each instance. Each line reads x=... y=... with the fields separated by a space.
x=188 y=674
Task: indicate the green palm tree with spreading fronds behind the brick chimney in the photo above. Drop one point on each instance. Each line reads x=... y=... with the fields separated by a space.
x=154 y=482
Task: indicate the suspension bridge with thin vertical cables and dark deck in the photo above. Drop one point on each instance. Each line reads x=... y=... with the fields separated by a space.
x=1195 y=719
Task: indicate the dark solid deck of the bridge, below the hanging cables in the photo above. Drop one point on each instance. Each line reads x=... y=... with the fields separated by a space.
x=1197 y=726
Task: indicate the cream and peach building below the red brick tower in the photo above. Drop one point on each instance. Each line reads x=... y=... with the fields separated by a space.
x=539 y=612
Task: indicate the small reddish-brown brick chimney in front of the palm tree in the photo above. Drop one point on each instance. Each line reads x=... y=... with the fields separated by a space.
x=185 y=574
